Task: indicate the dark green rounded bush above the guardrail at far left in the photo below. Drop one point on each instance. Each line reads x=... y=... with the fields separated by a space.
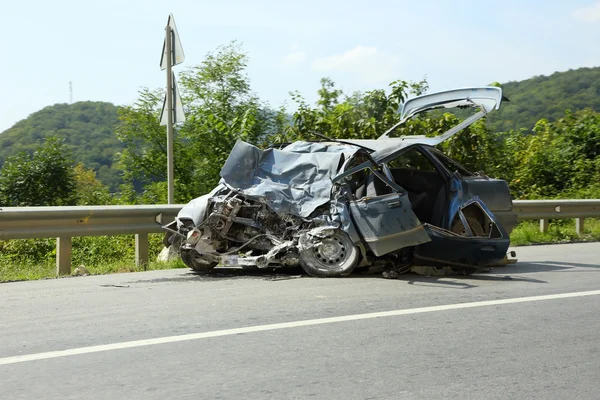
x=45 y=178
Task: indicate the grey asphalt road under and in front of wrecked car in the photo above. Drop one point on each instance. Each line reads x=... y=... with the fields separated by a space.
x=529 y=330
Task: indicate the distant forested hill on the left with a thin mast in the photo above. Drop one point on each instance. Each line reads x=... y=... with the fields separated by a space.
x=87 y=127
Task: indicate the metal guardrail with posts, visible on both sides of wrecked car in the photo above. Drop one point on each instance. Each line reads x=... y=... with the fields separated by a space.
x=65 y=223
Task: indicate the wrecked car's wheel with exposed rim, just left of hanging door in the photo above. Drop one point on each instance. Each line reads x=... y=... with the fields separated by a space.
x=334 y=256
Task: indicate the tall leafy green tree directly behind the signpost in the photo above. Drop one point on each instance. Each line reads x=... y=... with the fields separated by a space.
x=220 y=109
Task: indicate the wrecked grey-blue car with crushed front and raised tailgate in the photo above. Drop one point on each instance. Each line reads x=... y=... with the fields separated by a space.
x=332 y=206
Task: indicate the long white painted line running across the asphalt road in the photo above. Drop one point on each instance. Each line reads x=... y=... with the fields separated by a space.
x=284 y=325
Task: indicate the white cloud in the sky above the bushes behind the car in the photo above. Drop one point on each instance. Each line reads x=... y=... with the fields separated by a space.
x=371 y=65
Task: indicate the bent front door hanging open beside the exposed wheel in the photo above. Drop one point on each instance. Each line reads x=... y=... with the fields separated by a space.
x=382 y=213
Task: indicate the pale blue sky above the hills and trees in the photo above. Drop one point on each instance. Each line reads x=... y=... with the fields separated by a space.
x=110 y=49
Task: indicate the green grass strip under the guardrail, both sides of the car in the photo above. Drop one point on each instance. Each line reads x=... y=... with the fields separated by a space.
x=30 y=259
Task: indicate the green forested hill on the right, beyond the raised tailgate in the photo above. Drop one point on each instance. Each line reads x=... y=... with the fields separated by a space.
x=547 y=97
